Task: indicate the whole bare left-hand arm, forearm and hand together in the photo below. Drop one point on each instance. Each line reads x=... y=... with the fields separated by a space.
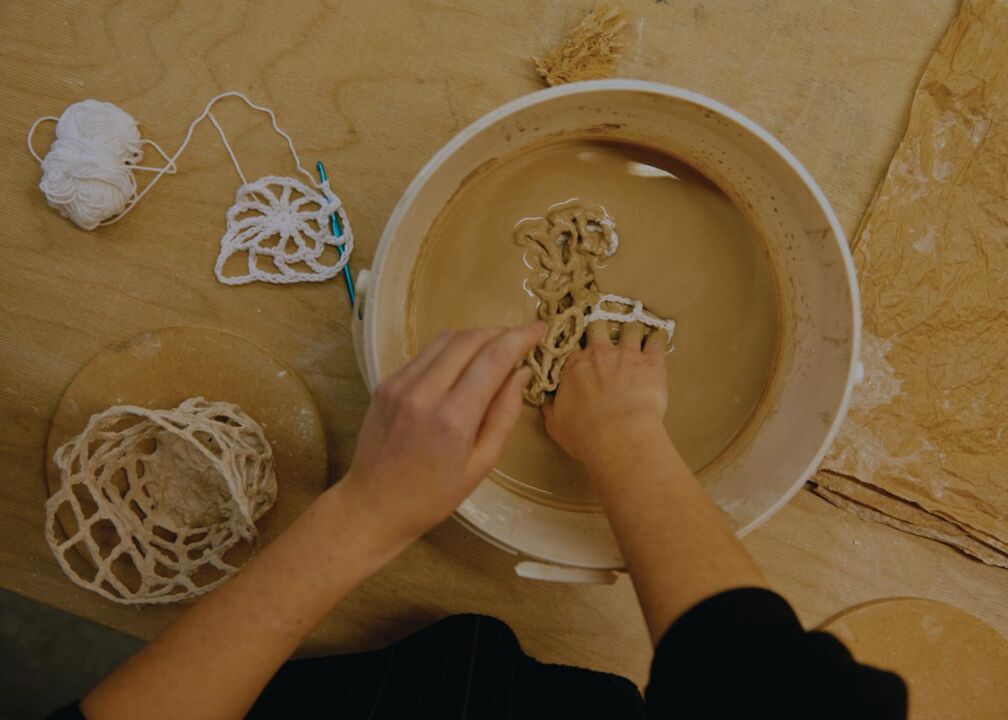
x=435 y=429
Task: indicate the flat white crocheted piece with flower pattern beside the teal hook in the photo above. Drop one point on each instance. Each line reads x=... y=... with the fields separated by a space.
x=282 y=226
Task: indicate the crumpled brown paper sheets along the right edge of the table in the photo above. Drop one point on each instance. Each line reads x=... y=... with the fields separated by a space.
x=926 y=444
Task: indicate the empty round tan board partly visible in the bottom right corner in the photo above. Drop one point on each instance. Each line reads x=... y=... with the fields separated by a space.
x=955 y=666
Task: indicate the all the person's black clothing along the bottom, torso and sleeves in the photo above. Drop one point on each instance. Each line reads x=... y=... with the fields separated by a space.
x=739 y=655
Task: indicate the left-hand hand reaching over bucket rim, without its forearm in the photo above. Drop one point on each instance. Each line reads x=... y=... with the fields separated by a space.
x=437 y=427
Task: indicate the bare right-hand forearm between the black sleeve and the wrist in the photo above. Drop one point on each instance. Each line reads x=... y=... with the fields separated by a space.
x=678 y=546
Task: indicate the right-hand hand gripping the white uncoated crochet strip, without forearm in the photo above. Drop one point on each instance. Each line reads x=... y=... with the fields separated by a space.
x=610 y=394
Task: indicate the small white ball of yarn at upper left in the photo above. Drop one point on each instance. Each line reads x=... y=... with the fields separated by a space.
x=86 y=174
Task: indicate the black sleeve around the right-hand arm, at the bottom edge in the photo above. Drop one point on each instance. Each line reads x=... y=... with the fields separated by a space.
x=743 y=654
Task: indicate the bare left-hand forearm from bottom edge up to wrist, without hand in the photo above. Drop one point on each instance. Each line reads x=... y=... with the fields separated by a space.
x=216 y=659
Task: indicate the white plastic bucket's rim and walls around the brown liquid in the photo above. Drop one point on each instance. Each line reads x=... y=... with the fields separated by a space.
x=818 y=365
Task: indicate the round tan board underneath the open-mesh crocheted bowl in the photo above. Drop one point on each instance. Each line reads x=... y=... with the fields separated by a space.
x=163 y=369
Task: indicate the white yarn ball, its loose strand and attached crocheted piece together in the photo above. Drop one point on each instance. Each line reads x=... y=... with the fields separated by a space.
x=88 y=177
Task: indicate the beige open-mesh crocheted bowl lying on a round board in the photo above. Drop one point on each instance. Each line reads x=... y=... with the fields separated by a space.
x=157 y=507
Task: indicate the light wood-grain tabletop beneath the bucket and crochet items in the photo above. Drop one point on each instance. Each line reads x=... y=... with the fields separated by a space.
x=374 y=88
